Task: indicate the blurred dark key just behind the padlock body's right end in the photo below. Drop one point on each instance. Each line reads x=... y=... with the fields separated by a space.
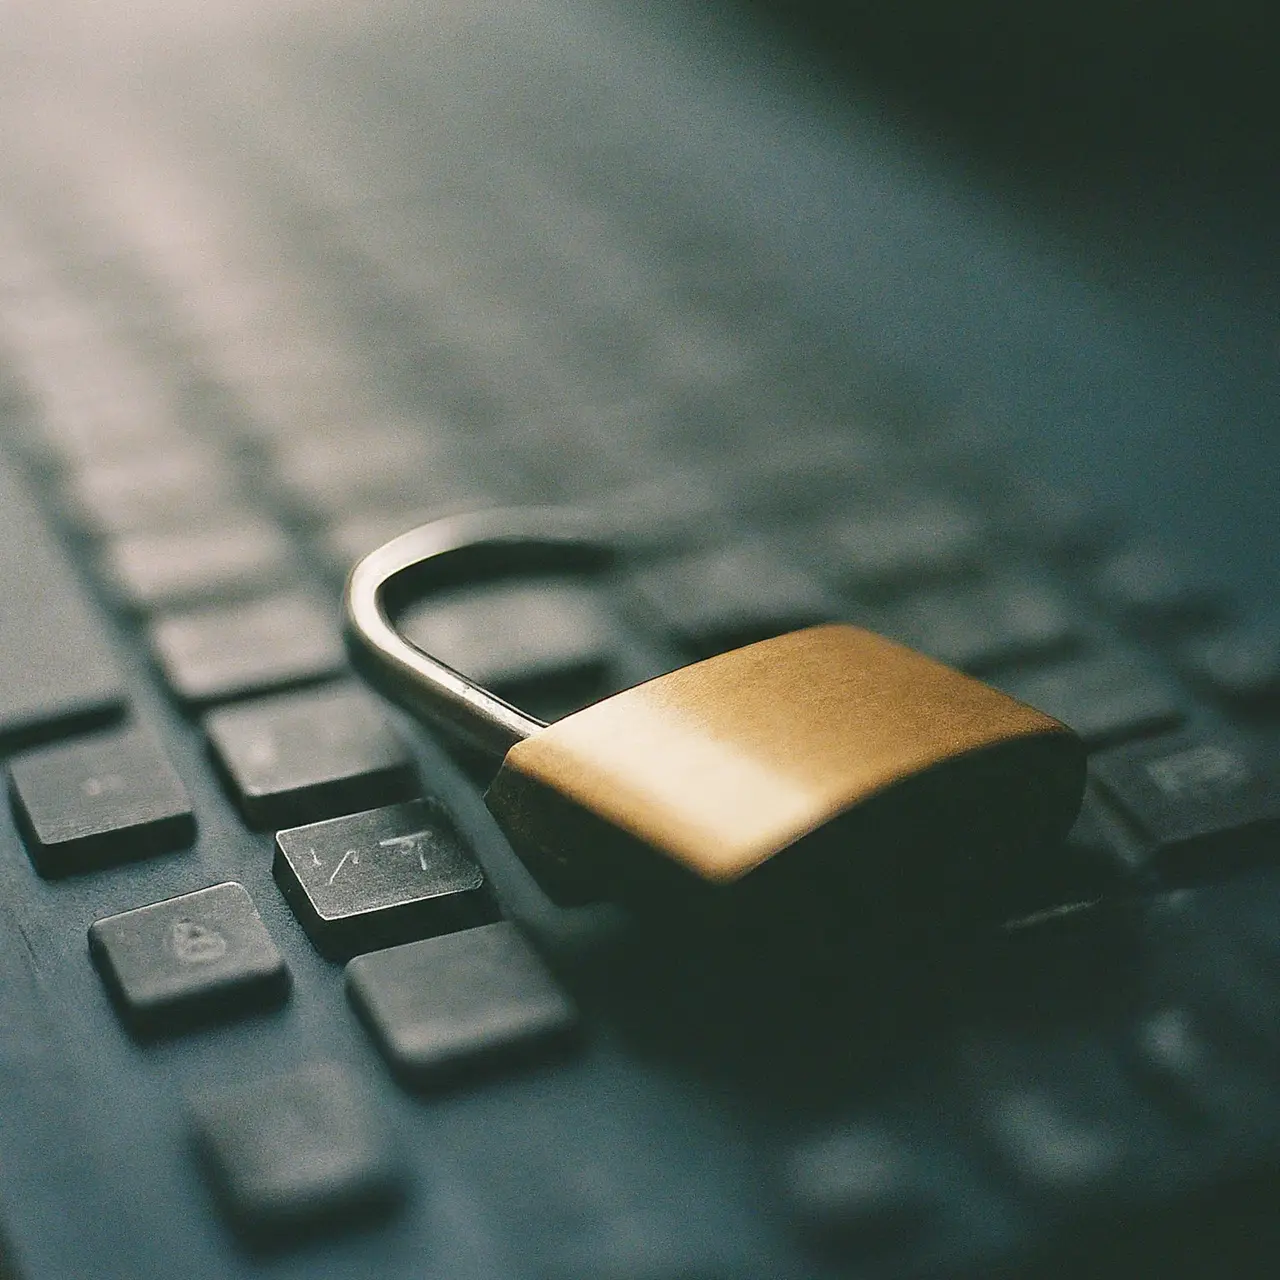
x=1105 y=700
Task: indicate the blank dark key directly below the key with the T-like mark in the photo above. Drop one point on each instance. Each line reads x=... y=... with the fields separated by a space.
x=445 y=1004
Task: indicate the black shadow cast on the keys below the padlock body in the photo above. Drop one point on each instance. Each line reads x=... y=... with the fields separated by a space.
x=807 y=1005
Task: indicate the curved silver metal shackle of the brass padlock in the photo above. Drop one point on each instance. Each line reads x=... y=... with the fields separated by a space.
x=455 y=551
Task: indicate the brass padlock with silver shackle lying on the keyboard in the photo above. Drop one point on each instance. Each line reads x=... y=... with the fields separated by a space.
x=831 y=760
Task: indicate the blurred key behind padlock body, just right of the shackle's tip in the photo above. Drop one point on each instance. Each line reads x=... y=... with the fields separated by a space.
x=716 y=601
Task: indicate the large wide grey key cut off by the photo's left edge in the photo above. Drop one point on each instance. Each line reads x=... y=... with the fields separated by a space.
x=57 y=675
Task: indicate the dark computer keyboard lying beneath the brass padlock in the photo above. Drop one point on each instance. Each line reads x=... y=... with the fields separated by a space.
x=278 y=999
